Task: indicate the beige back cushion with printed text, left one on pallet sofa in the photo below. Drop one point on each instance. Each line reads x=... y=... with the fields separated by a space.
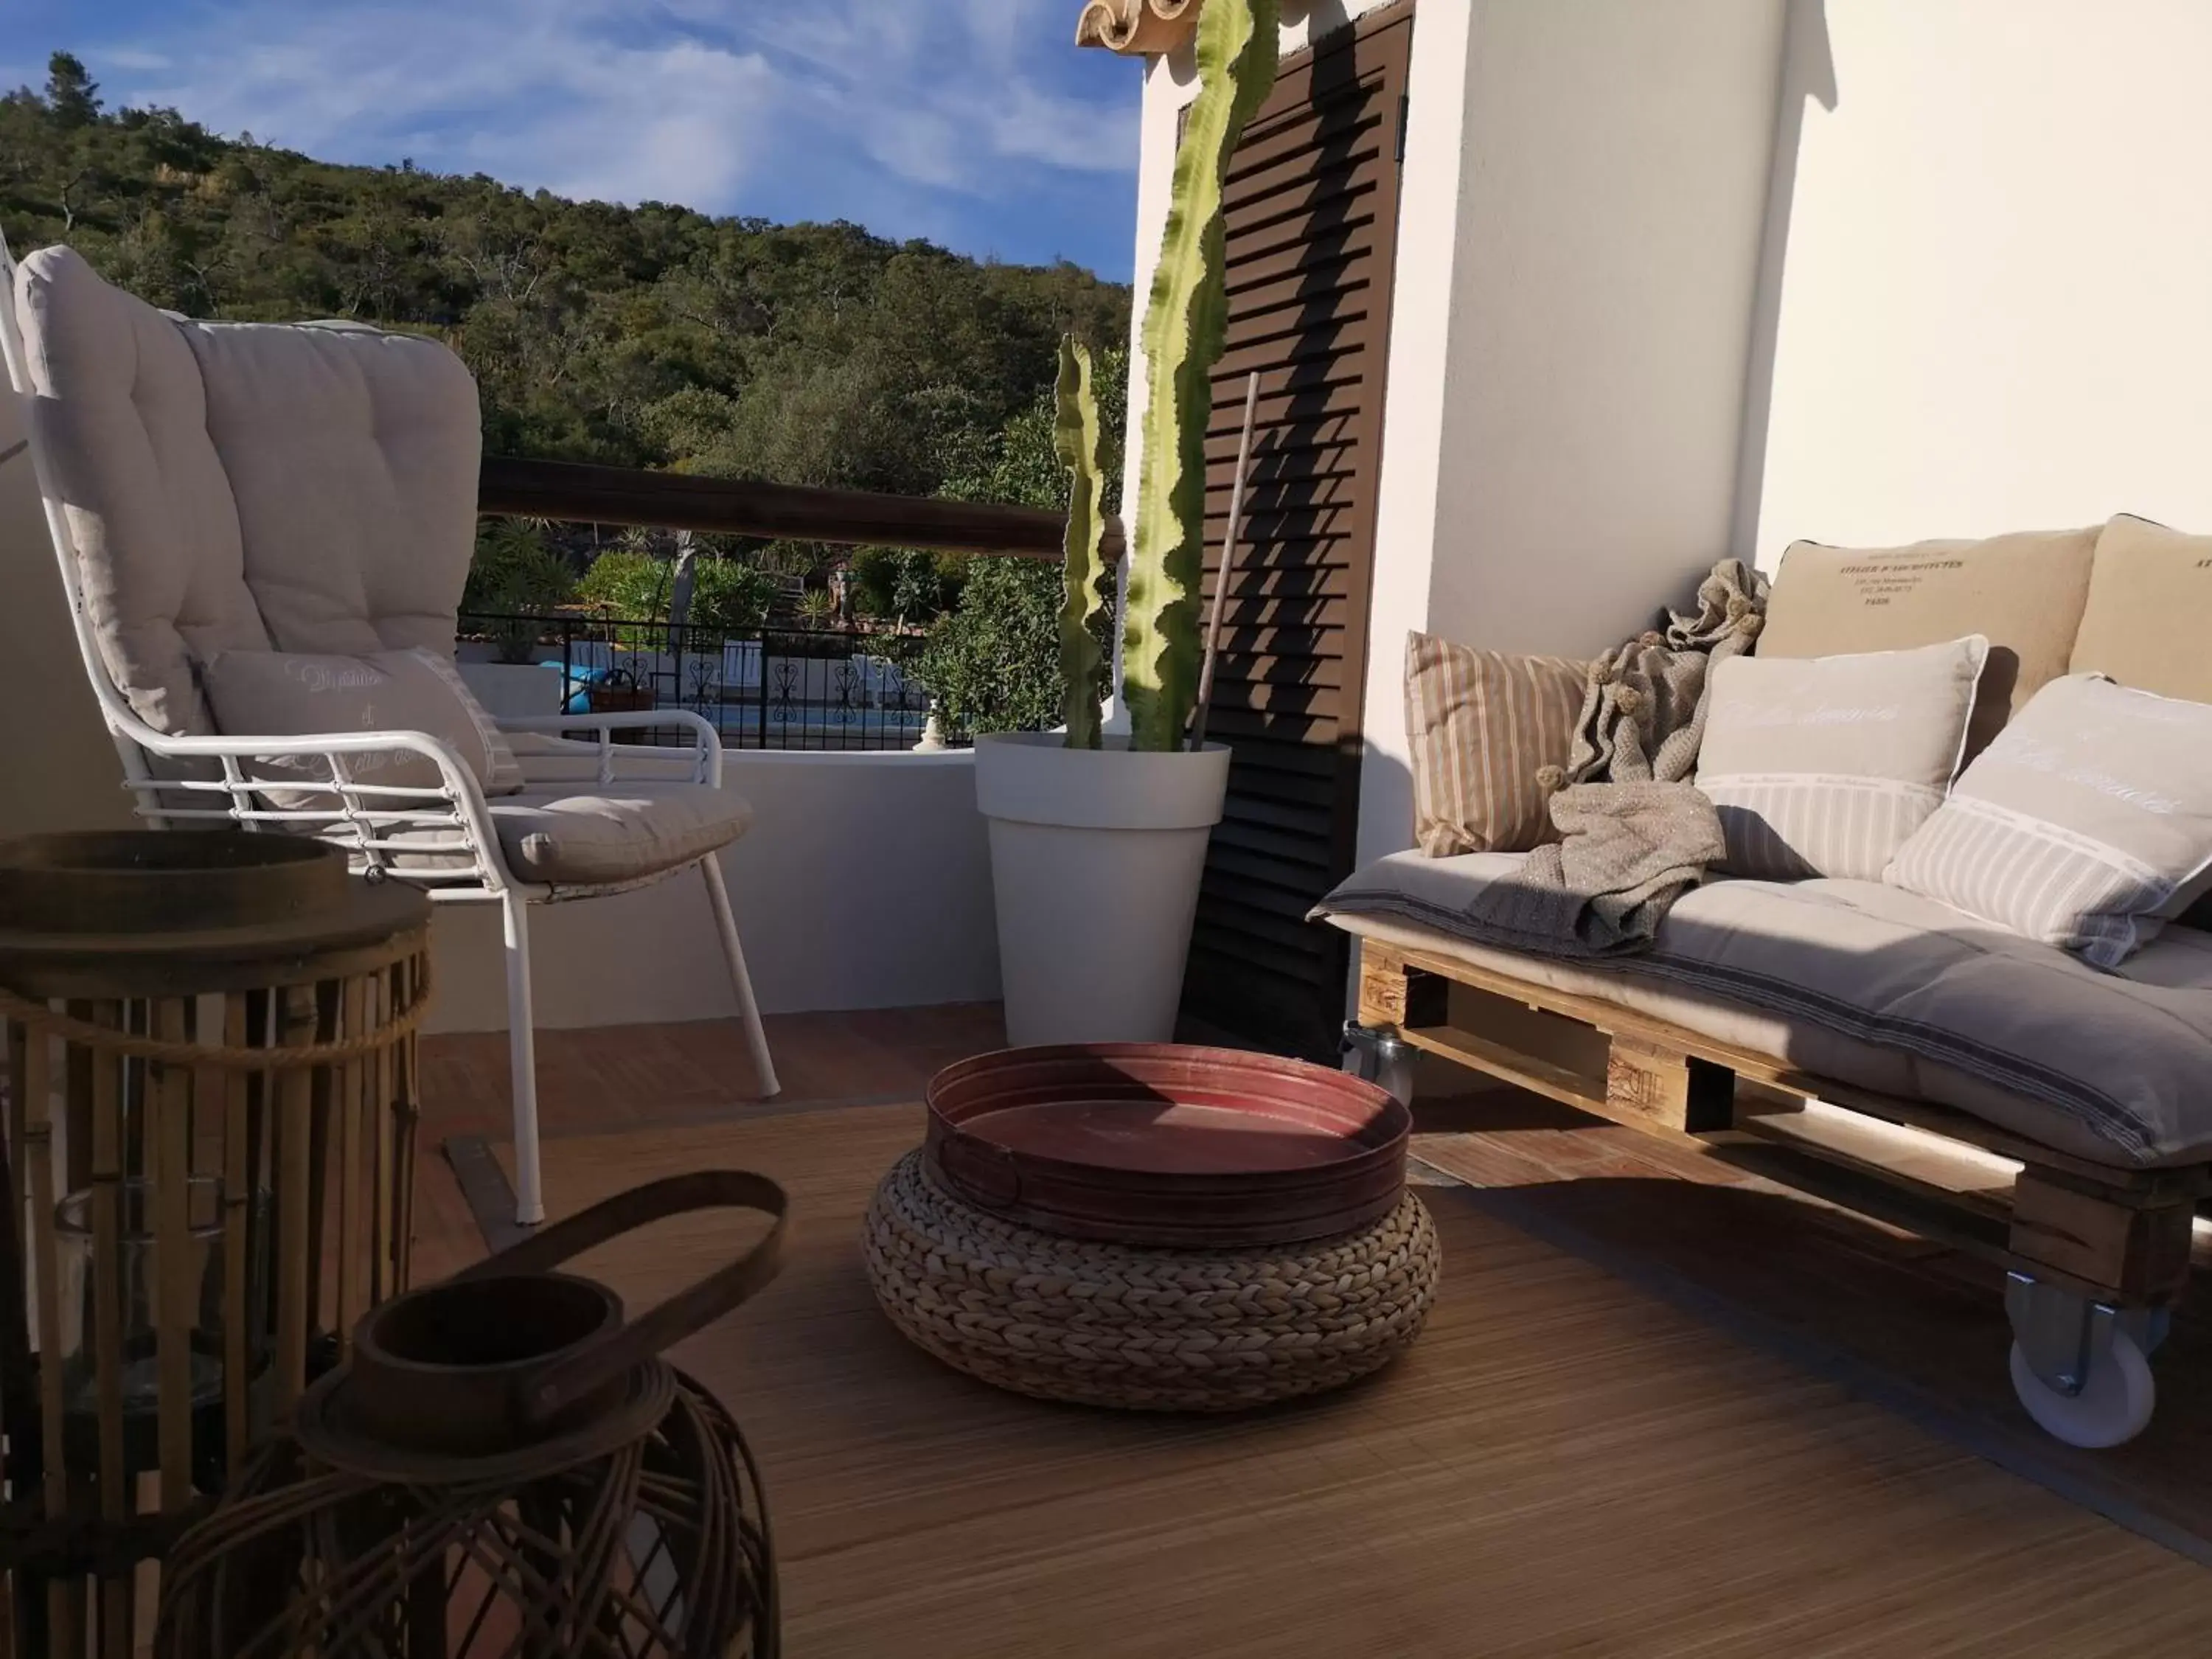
x=2023 y=592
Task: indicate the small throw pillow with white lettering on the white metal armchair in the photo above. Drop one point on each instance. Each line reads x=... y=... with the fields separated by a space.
x=282 y=693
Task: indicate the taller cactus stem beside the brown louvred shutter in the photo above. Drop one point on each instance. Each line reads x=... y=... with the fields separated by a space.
x=1185 y=333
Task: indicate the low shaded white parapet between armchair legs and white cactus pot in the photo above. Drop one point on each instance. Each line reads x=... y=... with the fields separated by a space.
x=864 y=884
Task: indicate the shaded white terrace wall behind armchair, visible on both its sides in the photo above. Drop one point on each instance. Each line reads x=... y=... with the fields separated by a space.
x=864 y=884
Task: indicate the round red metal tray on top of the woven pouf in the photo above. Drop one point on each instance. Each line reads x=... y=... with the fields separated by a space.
x=1160 y=1145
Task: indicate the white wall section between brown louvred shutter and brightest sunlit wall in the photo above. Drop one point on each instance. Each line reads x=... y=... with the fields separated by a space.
x=1569 y=375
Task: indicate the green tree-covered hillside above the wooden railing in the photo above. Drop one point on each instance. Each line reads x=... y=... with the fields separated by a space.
x=651 y=335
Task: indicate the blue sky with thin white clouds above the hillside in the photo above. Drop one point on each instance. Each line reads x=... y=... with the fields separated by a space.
x=972 y=123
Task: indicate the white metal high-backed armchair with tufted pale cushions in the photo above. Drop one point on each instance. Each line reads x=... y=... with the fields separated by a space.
x=448 y=839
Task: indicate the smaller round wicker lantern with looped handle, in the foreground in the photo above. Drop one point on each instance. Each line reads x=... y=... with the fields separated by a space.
x=503 y=1468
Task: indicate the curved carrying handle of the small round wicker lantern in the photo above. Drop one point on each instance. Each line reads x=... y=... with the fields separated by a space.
x=587 y=1368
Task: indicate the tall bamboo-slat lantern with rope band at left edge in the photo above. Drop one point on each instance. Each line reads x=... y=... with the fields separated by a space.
x=211 y=1107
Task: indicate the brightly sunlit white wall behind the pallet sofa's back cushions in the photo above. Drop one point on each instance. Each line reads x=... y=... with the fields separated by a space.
x=1990 y=302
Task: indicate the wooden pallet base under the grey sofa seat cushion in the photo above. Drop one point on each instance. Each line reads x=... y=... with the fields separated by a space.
x=2116 y=1235
